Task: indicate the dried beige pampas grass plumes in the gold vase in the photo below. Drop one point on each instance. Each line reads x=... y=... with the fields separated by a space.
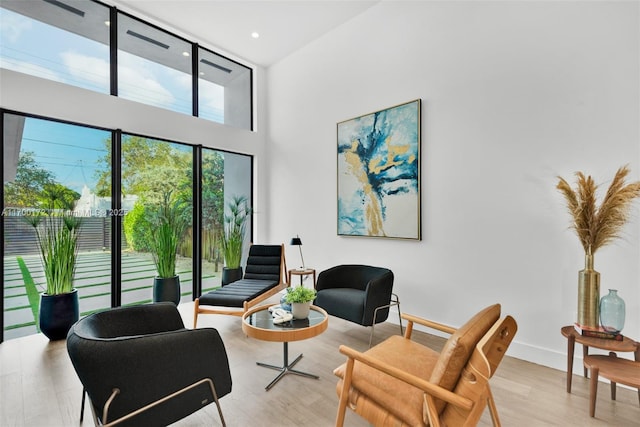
x=597 y=226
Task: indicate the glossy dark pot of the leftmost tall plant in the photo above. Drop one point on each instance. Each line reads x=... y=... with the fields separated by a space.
x=58 y=313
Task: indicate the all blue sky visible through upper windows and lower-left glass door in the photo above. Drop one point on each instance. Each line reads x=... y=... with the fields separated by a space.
x=69 y=151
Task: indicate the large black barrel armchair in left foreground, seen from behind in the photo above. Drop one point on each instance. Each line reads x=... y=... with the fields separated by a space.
x=141 y=367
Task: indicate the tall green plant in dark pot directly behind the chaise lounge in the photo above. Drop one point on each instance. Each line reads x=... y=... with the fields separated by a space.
x=235 y=224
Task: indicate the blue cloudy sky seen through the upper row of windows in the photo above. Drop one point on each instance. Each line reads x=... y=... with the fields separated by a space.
x=39 y=49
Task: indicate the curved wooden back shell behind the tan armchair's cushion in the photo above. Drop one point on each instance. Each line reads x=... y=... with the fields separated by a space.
x=475 y=377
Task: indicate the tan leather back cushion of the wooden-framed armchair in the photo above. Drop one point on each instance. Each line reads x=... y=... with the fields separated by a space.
x=458 y=349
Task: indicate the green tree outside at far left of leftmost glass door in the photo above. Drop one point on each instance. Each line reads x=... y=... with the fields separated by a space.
x=25 y=190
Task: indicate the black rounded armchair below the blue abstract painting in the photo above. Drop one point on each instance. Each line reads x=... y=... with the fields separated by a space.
x=358 y=293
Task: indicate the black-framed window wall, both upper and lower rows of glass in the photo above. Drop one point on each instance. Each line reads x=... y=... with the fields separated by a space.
x=95 y=46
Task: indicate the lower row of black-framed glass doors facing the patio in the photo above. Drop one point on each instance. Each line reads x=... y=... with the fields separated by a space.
x=46 y=160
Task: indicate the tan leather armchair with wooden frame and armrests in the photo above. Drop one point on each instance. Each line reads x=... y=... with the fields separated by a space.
x=401 y=382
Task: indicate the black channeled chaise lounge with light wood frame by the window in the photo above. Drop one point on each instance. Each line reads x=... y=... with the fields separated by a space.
x=264 y=276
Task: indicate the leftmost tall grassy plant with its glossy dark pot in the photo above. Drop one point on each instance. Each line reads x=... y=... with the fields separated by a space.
x=57 y=233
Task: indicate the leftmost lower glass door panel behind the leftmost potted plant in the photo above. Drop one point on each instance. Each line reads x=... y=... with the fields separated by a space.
x=50 y=167
